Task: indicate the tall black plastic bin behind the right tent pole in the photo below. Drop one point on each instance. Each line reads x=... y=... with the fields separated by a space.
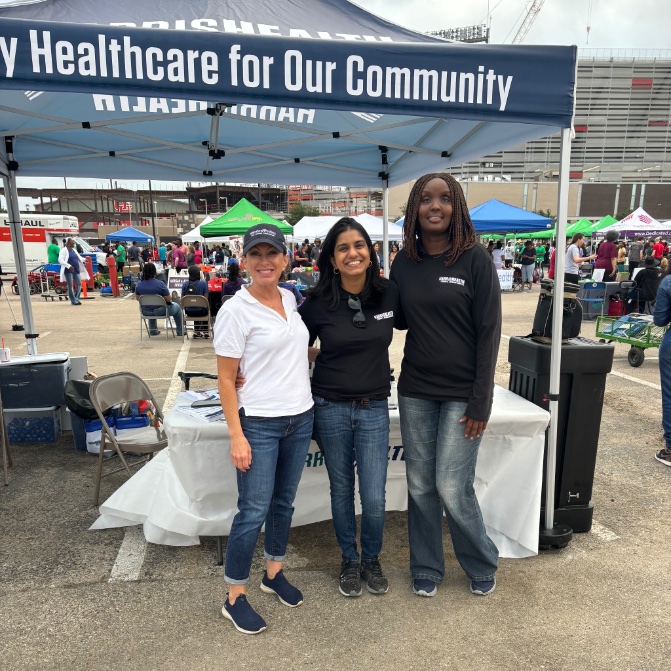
x=584 y=366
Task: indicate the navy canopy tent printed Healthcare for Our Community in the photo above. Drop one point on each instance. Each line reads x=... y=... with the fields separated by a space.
x=91 y=89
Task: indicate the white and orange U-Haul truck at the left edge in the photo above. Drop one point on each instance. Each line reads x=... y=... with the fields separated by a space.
x=39 y=231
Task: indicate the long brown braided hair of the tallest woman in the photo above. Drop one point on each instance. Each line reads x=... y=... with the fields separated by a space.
x=460 y=232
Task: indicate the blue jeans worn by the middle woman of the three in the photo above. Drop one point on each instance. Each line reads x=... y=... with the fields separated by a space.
x=350 y=435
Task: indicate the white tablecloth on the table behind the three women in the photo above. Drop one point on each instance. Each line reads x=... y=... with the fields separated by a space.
x=189 y=489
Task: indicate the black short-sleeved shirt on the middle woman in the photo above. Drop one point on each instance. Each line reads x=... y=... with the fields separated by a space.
x=354 y=362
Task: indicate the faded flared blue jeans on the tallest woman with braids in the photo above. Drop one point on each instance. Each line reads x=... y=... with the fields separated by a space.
x=440 y=468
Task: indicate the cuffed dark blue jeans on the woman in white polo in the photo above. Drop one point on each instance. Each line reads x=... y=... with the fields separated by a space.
x=266 y=492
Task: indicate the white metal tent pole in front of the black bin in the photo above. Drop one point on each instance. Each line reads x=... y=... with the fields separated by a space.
x=557 y=318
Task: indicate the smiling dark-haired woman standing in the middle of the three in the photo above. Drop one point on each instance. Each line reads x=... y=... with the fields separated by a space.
x=351 y=311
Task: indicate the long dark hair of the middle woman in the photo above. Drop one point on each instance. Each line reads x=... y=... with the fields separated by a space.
x=328 y=285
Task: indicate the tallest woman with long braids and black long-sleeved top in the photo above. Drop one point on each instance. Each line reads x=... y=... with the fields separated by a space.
x=451 y=306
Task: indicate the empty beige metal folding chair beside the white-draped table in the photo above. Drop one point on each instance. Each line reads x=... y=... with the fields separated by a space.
x=108 y=391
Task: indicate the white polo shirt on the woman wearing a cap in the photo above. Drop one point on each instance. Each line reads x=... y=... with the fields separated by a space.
x=273 y=354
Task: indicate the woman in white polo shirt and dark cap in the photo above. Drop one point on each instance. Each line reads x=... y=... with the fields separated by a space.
x=260 y=331
